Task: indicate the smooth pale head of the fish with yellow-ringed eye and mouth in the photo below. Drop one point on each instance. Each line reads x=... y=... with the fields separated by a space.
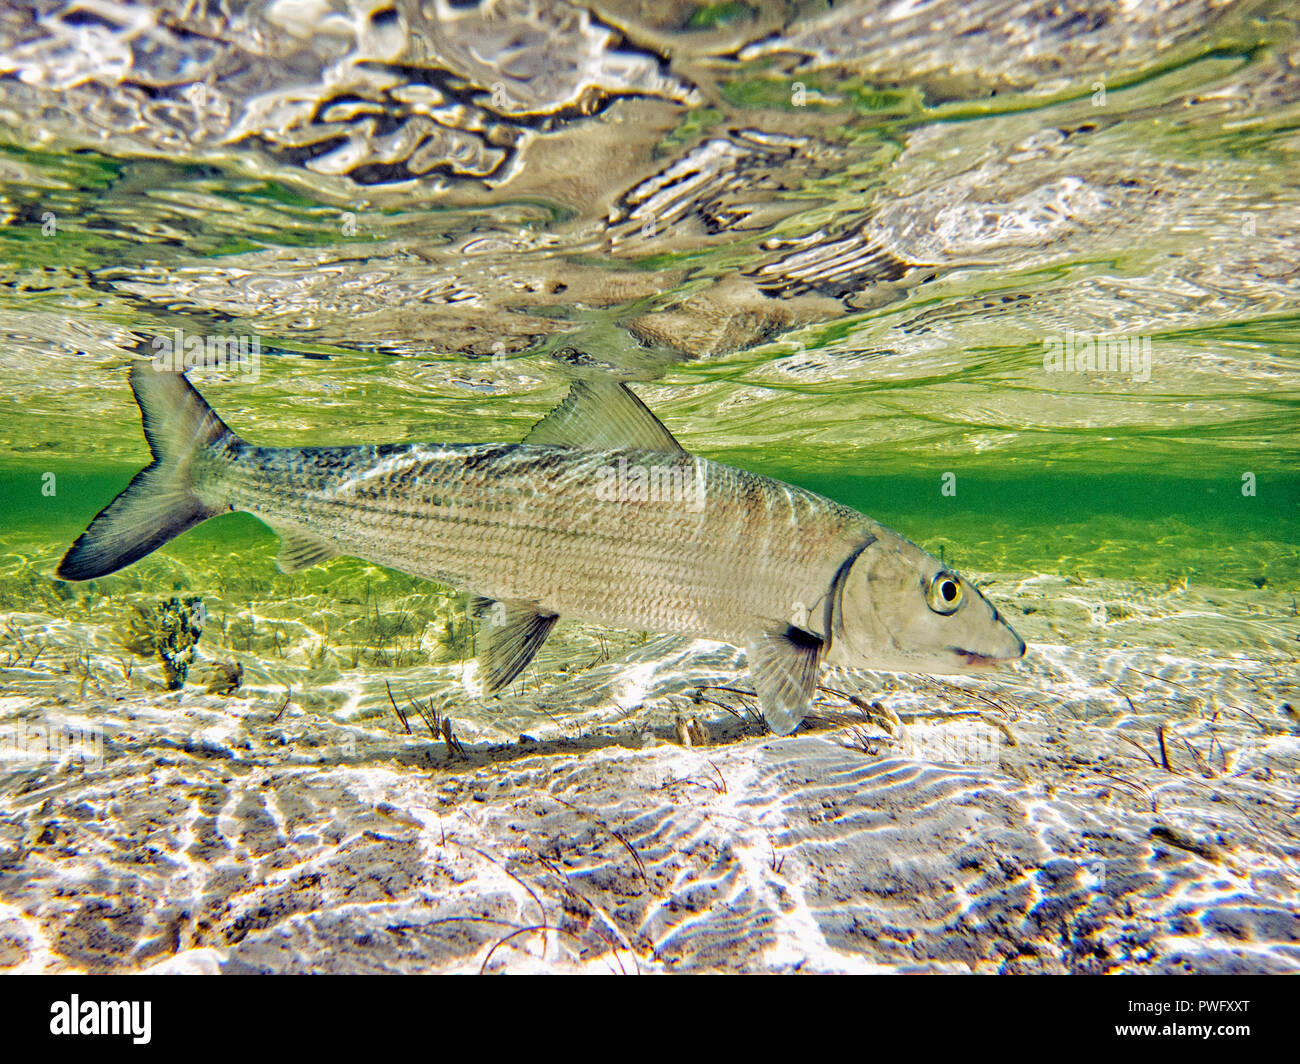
x=903 y=611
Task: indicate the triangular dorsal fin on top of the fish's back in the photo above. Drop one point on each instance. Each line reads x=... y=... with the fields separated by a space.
x=604 y=416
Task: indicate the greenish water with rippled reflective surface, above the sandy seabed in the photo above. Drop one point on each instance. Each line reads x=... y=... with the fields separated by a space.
x=837 y=258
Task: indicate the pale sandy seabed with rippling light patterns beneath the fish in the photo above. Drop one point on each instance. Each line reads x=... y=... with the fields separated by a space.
x=1124 y=801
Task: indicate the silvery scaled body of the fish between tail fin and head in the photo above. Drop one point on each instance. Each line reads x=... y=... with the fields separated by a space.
x=526 y=524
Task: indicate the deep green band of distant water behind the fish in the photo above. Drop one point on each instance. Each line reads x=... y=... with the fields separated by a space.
x=1149 y=530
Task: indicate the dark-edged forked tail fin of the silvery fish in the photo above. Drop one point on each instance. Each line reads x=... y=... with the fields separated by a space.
x=161 y=503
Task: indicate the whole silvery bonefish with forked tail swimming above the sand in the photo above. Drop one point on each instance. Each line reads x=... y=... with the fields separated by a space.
x=597 y=516
